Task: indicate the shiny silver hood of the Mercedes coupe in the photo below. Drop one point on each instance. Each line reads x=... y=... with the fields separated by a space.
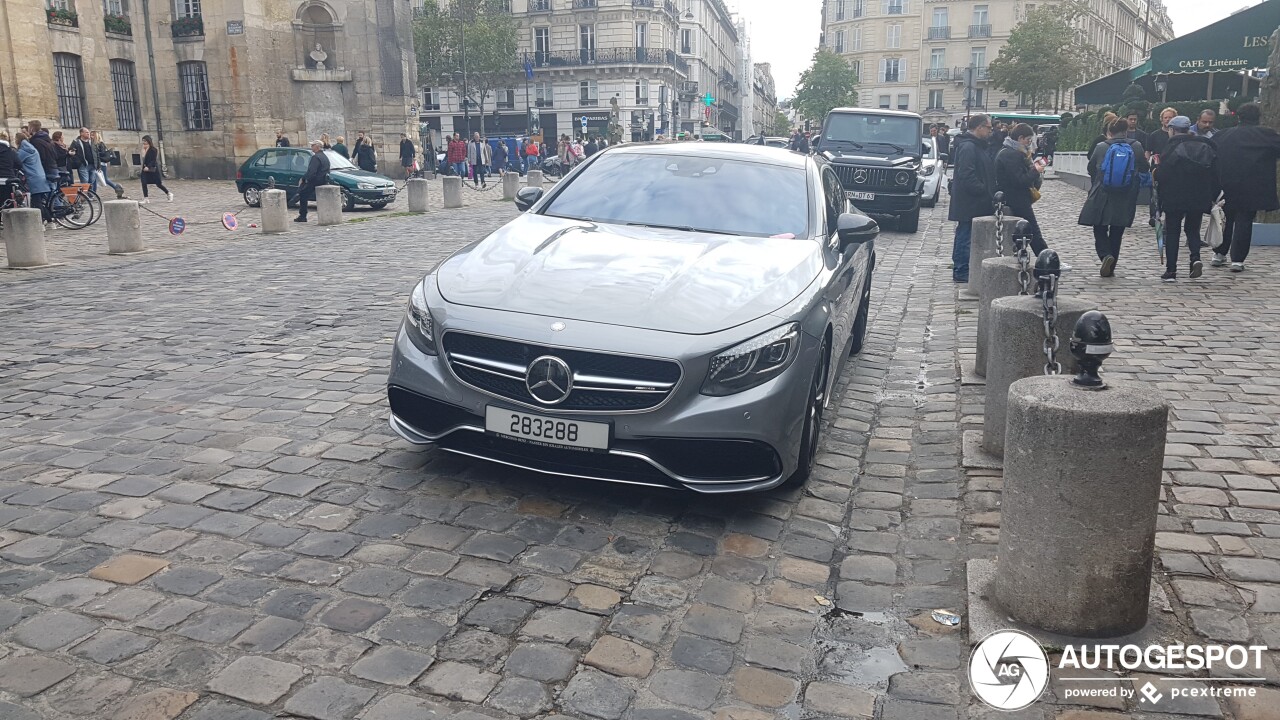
x=670 y=281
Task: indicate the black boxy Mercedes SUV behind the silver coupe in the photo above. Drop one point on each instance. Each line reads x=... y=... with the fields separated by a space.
x=877 y=157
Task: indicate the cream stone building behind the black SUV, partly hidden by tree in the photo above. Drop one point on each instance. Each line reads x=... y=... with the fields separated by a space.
x=931 y=57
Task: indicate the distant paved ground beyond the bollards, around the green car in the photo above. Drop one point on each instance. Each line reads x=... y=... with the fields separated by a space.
x=203 y=204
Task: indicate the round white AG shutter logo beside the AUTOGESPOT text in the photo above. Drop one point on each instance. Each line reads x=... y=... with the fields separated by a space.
x=1008 y=671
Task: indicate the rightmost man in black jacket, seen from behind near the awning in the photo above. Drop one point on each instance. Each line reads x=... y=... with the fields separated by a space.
x=1247 y=170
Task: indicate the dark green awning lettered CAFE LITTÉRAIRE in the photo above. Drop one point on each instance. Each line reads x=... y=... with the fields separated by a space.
x=1237 y=43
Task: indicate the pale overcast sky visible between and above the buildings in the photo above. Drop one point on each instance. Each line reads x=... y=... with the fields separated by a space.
x=785 y=33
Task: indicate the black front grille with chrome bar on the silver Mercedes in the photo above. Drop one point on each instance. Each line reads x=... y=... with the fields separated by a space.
x=602 y=382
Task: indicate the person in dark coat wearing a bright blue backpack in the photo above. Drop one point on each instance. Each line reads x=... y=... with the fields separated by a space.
x=1116 y=167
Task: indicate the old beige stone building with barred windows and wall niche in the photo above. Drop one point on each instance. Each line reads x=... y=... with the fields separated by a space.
x=212 y=81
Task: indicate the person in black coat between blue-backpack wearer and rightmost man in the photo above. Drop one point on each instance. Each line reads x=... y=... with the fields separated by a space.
x=1188 y=186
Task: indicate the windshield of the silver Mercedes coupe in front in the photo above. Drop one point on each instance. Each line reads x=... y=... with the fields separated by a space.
x=689 y=193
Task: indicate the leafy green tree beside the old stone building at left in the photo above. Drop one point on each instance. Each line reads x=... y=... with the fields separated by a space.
x=469 y=47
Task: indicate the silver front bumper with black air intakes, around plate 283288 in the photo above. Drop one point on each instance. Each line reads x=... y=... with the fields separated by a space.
x=743 y=443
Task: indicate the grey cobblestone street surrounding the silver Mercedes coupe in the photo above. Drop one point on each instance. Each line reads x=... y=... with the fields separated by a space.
x=204 y=516
